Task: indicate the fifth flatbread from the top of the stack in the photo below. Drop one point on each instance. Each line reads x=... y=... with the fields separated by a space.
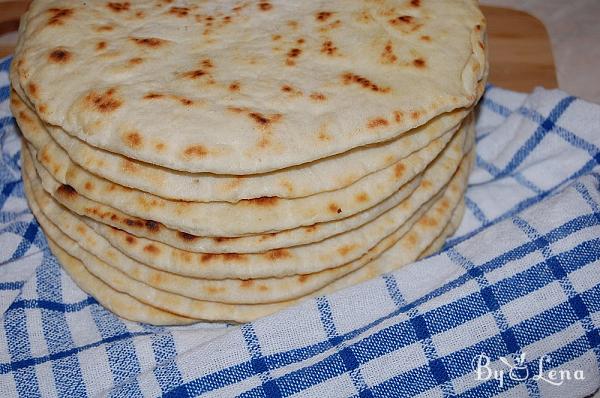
x=342 y=249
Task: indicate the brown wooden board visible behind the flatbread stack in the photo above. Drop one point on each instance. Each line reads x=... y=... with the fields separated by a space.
x=519 y=47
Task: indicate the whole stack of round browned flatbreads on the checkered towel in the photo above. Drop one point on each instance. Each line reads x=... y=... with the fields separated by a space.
x=222 y=160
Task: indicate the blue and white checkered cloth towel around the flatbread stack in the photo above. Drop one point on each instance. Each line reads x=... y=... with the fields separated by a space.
x=511 y=307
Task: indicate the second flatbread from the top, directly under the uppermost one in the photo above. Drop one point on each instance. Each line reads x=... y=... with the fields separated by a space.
x=327 y=174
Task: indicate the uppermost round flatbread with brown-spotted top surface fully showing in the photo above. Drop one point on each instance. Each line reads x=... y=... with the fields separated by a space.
x=247 y=88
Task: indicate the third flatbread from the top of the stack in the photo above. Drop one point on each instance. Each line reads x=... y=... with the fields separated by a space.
x=264 y=215
